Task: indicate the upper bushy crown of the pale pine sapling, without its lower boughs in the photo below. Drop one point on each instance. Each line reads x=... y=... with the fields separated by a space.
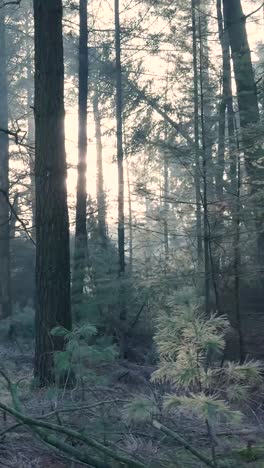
x=185 y=341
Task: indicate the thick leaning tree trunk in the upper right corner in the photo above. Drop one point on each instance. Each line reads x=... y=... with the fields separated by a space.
x=235 y=23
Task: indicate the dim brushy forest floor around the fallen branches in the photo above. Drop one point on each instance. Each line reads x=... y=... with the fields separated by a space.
x=106 y=417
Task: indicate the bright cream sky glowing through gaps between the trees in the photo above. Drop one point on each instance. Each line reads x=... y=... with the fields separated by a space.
x=104 y=15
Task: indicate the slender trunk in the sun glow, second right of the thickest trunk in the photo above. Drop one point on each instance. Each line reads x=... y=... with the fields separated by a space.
x=100 y=193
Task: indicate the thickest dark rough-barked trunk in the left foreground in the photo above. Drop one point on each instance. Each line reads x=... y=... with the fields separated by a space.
x=53 y=300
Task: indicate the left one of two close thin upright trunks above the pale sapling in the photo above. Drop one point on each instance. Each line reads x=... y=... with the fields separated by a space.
x=197 y=149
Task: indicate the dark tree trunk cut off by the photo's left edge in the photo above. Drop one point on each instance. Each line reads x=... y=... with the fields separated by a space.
x=5 y=289
